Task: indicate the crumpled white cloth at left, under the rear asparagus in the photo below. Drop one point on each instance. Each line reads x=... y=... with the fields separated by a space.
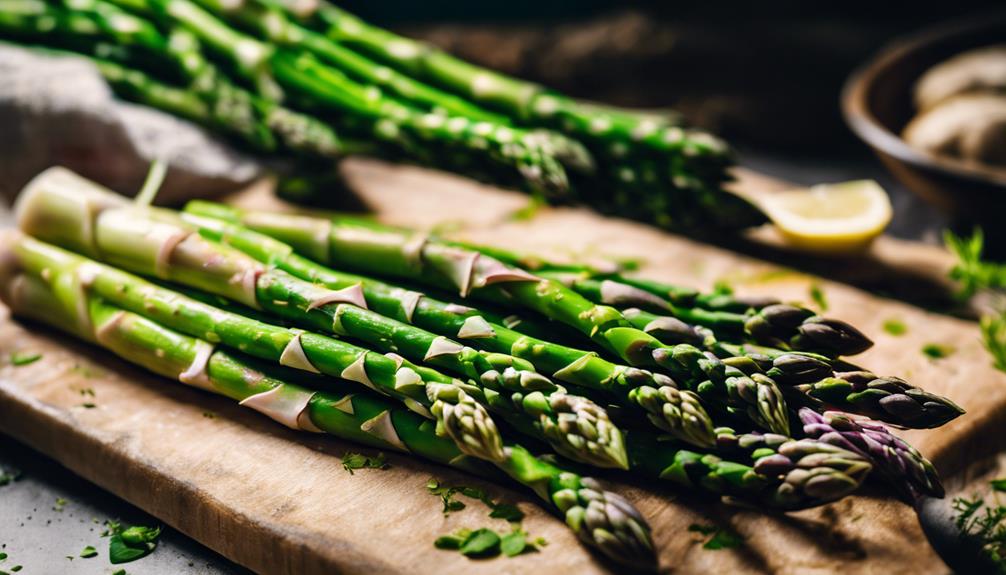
x=59 y=110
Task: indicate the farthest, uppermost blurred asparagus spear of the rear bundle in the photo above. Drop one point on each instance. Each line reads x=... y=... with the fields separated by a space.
x=613 y=137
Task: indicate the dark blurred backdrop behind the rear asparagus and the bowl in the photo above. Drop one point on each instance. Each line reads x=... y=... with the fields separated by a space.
x=767 y=76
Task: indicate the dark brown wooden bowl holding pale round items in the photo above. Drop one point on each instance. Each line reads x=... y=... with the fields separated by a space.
x=878 y=103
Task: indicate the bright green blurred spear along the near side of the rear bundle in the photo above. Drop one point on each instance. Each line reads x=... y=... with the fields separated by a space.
x=305 y=79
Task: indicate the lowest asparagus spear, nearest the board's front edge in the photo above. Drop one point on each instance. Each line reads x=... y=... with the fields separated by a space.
x=601 y=519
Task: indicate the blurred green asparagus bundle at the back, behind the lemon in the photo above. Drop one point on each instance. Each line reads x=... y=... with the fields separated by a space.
x=312 y=82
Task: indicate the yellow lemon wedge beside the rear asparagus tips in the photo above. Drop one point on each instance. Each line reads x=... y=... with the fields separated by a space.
x=830 y=218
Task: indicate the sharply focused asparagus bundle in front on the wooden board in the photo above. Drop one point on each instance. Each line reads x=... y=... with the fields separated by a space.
x=296 y=302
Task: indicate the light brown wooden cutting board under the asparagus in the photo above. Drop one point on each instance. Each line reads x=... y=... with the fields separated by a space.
x=279 y=502
